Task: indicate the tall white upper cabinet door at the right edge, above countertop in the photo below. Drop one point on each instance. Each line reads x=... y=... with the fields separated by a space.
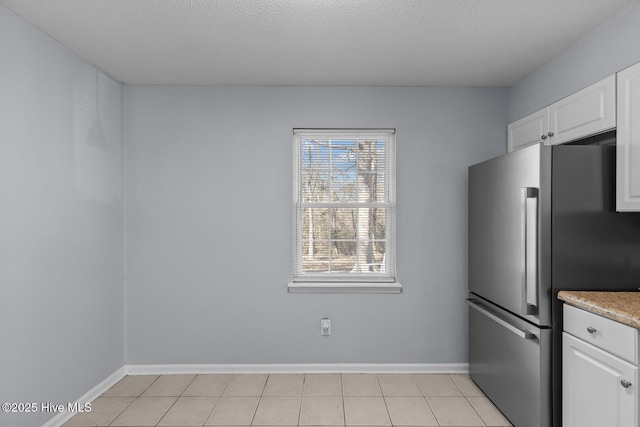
x=628 y=140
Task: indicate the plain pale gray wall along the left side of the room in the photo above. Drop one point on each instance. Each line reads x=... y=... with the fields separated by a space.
x=61 y=226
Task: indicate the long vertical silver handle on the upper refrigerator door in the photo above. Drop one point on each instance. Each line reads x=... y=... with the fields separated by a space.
x=529 y=239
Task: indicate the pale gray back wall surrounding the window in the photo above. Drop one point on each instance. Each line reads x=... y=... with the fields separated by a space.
x=208 y=210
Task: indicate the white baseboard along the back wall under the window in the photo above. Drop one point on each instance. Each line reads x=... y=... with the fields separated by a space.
x=302 y=368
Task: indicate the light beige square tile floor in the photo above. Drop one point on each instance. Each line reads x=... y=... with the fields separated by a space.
x=292 y=400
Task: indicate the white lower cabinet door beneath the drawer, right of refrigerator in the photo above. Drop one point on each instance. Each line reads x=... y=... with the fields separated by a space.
x=598 y=389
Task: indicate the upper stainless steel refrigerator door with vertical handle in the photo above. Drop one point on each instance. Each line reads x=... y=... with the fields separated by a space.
x=505 y=223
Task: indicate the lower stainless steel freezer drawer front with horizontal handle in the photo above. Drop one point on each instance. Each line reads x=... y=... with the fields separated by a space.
x=510 y=361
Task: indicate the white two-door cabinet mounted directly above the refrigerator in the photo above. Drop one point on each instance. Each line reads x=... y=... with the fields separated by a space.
x=589 y=111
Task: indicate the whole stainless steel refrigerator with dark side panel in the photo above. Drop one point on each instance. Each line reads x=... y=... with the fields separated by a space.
x=541 y=219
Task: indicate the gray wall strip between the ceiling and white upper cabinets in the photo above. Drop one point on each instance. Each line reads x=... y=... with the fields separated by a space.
x=603 y=52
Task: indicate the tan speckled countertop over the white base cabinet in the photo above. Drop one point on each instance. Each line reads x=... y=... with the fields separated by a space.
x=623 y=307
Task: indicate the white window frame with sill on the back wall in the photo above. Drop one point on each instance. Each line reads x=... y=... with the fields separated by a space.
x=383 y=281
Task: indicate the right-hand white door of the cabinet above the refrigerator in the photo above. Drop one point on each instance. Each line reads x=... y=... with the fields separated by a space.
x=589 y=111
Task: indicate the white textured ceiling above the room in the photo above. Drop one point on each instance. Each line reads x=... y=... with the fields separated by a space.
x=319 y=42
